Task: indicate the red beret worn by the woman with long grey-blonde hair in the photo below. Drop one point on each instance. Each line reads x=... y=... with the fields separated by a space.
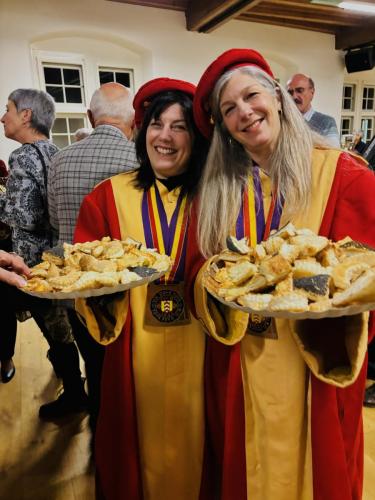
x=230 y=59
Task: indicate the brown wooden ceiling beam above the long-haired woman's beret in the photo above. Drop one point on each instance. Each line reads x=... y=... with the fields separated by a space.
x=210 y=14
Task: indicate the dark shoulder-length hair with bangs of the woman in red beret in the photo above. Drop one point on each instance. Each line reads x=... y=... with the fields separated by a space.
x=145 y=175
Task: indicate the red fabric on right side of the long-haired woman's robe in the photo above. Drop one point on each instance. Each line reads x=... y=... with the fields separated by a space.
x=336 y=420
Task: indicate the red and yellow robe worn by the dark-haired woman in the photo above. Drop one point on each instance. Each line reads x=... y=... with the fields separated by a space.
x=150 y=432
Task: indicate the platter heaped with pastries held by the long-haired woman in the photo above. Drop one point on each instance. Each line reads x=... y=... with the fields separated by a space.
x=294 y=274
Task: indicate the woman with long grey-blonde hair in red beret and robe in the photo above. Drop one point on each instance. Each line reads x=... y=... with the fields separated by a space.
x=283 y=399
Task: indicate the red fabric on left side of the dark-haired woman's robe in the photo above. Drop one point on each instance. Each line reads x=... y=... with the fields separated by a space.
x=116 y=446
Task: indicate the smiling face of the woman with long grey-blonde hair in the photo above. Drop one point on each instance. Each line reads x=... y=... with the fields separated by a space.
x=250 y=114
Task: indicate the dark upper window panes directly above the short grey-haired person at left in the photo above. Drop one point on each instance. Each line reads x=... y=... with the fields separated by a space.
x=64 y=83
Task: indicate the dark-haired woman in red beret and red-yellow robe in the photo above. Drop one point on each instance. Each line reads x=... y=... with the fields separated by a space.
x=150 y=433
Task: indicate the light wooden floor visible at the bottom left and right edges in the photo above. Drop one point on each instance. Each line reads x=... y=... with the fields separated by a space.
x=47 y=461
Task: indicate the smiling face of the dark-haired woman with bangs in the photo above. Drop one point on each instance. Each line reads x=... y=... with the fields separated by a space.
x=168 y=143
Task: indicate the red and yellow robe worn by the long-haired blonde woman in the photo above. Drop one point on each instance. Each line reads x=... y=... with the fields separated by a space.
x=284 y=415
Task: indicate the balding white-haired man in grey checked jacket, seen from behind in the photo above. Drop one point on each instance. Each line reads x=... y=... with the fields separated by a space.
x=73 y=173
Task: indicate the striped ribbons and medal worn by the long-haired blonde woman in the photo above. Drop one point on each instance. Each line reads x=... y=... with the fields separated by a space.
x=251 y=222
